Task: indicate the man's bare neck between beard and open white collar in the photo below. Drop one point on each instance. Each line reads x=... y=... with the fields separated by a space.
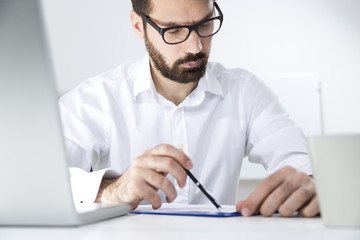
x=169 y=89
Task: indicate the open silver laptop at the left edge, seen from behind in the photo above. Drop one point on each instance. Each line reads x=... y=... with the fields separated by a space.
x=34 y=179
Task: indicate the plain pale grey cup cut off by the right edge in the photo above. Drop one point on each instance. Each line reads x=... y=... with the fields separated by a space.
x=336 y=163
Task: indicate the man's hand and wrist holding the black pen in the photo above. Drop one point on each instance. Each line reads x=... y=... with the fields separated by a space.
x=145 y=176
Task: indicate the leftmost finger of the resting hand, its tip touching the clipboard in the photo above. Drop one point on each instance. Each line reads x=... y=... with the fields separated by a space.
x=256 y=198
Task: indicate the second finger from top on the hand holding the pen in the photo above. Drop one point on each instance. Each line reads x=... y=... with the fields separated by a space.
x=164 y=165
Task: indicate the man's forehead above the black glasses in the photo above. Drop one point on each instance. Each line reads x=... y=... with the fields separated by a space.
x=180 y=11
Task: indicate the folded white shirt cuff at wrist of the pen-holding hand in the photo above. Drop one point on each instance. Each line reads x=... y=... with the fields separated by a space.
x=85 y=185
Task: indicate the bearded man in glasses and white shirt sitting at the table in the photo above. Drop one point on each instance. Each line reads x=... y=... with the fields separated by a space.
x=151 y=119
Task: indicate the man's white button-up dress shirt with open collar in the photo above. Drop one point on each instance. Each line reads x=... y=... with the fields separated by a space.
x=111 y=119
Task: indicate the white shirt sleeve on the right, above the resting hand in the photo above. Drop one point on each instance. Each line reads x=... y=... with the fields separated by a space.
x=273 y=138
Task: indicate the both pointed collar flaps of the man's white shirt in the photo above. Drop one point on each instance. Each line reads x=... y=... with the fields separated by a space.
x=144 y=82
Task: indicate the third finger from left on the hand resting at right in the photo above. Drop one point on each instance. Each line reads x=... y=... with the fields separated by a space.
x=296 y=200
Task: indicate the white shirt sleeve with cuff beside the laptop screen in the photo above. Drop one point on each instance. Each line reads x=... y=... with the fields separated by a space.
x=84 y=146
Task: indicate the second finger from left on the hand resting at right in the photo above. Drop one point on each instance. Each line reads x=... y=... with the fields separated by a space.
x=278 y=197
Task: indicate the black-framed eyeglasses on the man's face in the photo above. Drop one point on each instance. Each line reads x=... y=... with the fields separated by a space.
x=179 y=34
